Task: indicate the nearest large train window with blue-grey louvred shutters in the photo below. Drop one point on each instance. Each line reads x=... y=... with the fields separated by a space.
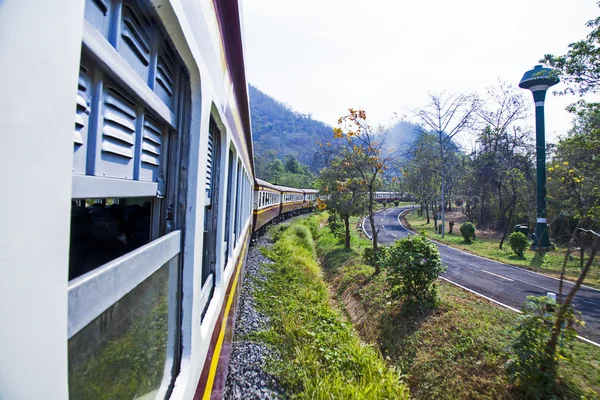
x=125 y=253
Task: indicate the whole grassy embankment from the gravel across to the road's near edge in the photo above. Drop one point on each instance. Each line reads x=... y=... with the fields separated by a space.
x=458 y=351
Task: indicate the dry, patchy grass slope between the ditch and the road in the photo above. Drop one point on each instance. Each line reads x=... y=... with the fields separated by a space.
x=457 y=351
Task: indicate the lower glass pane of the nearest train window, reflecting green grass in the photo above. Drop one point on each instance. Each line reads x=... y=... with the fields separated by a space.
x=122 y=354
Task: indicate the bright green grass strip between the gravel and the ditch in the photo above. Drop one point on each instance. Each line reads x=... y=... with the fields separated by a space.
x=321 y=356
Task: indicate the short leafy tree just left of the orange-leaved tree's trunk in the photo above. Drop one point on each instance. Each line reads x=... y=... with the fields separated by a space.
x=345 y=190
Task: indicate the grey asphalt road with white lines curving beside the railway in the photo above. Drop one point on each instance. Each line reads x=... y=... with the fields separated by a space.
x=506 y=284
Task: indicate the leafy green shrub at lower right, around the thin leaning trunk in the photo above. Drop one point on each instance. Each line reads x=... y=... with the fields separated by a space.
x=533 y=370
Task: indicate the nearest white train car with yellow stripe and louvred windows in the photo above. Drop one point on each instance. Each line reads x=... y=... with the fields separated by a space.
x=127 y=173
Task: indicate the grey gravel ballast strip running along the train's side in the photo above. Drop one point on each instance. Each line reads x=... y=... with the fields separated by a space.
x=246 y=377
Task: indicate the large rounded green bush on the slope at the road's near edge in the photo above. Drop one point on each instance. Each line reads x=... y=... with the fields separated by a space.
x=413 y=265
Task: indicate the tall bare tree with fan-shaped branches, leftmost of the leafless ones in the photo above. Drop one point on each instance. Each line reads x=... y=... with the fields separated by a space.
x=447 y=116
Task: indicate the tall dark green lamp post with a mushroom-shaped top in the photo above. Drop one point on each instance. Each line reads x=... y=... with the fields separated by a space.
x=538 y=80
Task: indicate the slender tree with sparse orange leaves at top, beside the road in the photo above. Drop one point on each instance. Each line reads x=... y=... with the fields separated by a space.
x=361 y=148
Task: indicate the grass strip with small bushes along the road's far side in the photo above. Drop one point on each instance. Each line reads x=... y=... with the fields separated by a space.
x=549 y=264
